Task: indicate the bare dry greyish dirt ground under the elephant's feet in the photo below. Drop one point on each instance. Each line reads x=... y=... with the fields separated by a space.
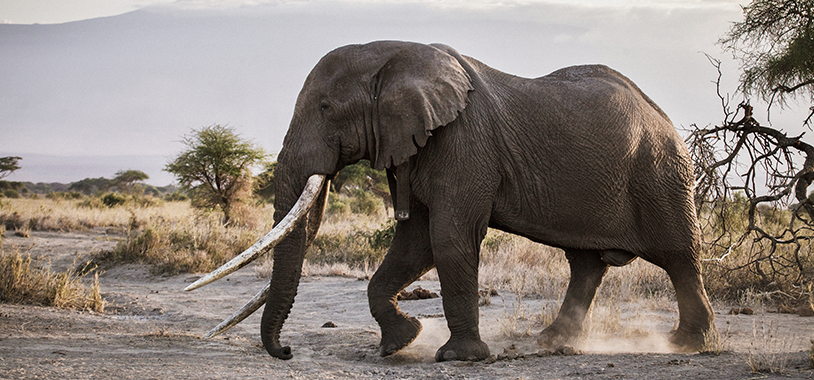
x=152 y=329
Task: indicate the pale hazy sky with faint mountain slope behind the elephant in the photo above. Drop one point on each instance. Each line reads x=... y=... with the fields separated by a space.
x=133 y=83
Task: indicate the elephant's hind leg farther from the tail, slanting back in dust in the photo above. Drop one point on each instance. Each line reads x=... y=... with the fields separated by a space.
x=587 y=270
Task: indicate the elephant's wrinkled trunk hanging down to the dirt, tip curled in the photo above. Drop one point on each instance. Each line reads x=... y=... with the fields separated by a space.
x=289 y=255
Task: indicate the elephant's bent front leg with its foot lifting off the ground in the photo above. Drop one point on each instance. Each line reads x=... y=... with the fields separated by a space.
x=409 y=257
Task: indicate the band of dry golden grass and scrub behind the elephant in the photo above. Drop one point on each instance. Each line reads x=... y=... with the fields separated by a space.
x=173 y=237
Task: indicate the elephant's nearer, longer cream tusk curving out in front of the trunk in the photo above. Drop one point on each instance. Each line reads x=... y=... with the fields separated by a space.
x=304 y=203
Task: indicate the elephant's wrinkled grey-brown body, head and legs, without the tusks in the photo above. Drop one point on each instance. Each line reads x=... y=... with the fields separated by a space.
x=579 y=159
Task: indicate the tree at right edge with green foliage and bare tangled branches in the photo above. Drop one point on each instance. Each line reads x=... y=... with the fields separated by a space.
x=746 y=167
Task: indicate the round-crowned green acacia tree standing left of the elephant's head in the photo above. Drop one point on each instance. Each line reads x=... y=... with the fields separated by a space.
x=215 y=169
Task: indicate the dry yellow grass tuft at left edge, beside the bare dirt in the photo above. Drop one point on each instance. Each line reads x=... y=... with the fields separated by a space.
x=24 y=280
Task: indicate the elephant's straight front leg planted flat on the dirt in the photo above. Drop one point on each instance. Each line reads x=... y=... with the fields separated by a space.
x=456 y=259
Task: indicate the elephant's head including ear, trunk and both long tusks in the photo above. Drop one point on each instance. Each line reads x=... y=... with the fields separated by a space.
x=380 y=102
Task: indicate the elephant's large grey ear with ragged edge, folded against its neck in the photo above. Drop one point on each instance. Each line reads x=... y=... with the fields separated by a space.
x=419 y=89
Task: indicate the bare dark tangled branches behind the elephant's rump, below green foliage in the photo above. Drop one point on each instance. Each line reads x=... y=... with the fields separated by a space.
x=745 y=167
